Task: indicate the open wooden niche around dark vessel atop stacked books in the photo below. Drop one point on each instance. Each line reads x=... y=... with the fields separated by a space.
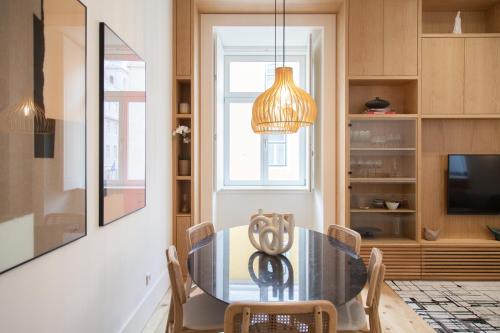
x=401 y=93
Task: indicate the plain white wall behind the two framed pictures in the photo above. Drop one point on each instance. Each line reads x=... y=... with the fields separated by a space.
x=97 y=284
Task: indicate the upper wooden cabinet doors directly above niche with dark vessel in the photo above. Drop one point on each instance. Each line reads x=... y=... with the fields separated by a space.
x=383 y=37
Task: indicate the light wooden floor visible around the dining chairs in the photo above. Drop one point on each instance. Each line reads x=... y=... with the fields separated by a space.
x=395 y=315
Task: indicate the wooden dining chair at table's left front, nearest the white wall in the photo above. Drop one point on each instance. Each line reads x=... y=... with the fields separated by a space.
x=201 y=313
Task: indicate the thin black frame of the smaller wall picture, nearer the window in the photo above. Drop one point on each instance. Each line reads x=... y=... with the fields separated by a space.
x=103 y=190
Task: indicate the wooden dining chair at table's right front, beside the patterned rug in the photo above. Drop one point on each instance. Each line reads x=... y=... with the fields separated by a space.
x=352 y=315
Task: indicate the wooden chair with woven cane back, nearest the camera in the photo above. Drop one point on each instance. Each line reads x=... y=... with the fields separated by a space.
x=309 y=316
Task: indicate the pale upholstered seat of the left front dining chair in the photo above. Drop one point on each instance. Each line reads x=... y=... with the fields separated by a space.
x=203 y=312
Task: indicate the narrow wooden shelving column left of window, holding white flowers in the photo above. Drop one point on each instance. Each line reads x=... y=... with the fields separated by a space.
x=184 y=199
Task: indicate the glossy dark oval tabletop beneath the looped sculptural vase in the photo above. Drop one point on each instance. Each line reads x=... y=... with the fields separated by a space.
x=228 y=267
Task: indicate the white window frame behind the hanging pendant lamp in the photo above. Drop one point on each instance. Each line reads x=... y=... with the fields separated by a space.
x=249 y=97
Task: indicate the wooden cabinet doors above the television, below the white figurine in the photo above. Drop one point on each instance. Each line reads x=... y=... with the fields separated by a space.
x=460 y=76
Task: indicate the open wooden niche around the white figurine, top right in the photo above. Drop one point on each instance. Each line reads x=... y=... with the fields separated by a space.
x=478 y=16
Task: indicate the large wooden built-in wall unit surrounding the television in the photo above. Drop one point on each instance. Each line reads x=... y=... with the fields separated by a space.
x=452 y=95
